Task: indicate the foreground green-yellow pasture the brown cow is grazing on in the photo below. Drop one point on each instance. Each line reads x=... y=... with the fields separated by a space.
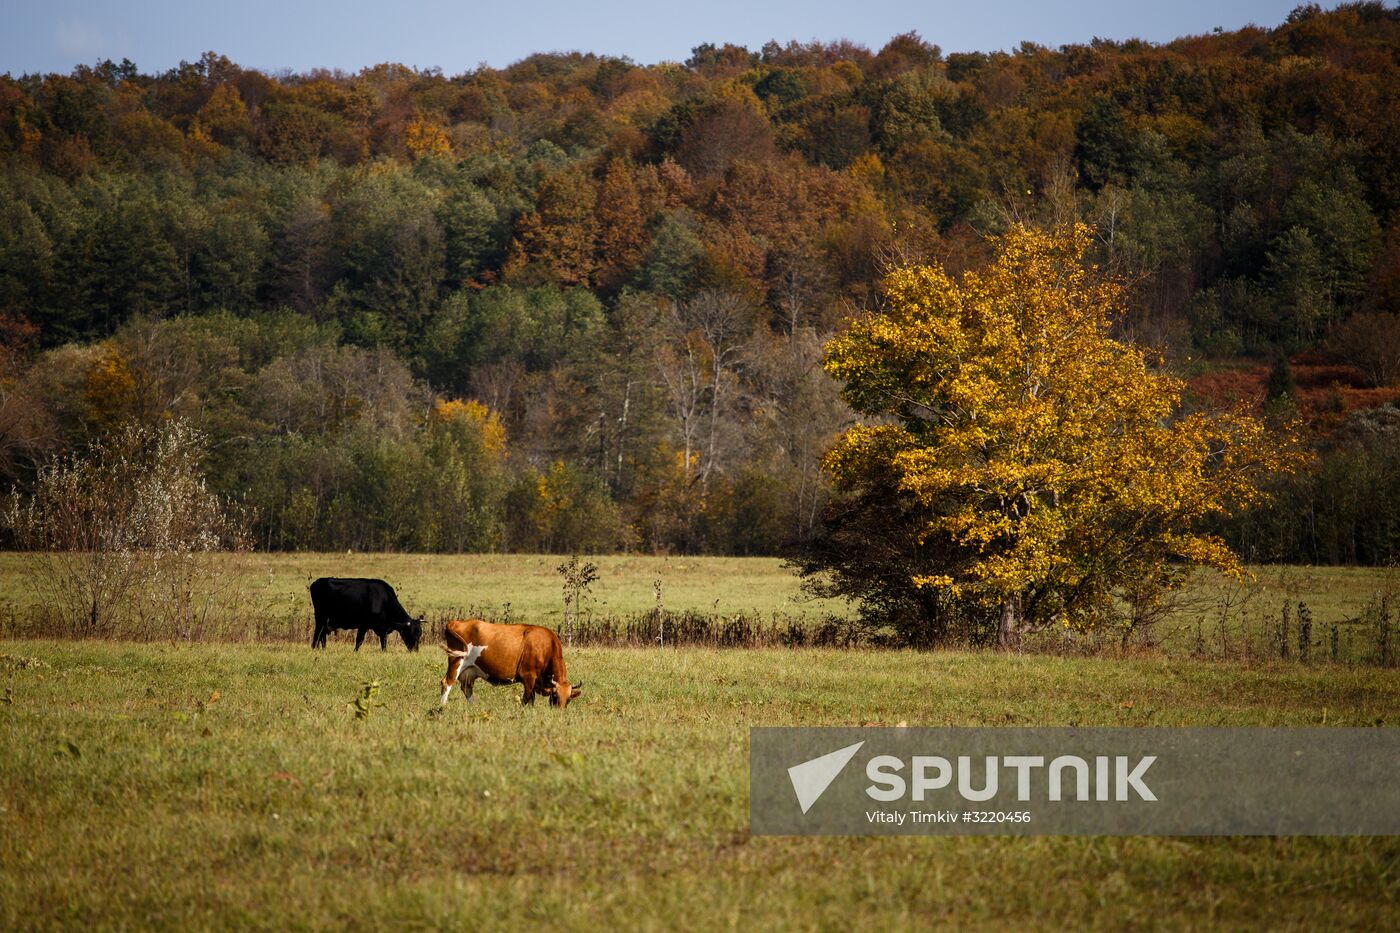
x=129 y=798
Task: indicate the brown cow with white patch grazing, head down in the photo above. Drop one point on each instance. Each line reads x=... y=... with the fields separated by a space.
x=524 y=655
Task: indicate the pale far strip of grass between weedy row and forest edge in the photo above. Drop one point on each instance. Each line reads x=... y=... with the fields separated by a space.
x=276 y=606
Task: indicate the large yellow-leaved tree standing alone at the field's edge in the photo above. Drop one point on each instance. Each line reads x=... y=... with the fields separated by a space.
x=1055 y=477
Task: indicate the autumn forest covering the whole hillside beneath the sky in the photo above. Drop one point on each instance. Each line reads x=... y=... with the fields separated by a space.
x=580 y=303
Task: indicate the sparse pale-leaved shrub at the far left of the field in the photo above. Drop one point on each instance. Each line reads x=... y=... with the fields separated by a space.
x=121 y=539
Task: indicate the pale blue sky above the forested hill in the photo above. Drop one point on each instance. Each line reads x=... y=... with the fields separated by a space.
x=457 y=37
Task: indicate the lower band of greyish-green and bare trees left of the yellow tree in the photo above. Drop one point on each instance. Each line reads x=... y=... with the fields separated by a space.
x=332 y=446
